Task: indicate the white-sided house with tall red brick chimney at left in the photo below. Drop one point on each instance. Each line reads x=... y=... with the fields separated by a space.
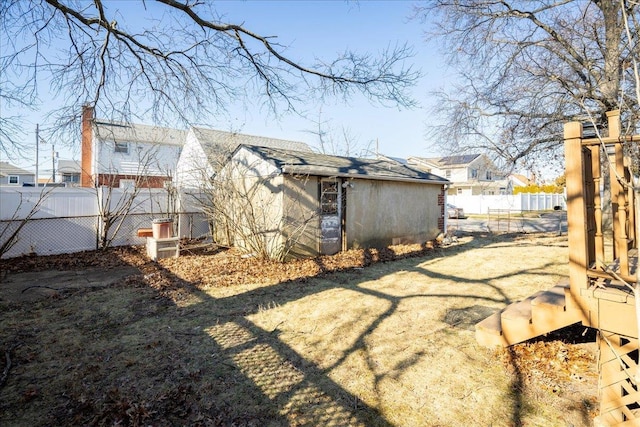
x=122 y=155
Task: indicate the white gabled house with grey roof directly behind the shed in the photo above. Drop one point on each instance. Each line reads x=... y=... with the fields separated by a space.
x=206 y=150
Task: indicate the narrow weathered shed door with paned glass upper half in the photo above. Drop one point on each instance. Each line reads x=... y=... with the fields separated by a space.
x=330 y=230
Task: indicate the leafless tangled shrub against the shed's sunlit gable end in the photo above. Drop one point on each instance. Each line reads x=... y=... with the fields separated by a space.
x=255 y=209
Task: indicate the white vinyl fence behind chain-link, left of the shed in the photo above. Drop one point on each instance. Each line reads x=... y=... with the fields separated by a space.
x=67 y=220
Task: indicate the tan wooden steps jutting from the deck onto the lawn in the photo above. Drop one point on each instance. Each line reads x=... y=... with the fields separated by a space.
x=539 y=314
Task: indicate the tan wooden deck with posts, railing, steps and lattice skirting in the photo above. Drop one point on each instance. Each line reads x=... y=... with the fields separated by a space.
x=603 y=255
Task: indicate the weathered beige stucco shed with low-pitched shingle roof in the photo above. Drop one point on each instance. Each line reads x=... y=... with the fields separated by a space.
x=286 y=203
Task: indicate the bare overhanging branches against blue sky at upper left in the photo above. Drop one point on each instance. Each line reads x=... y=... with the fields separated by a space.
x=177 y=59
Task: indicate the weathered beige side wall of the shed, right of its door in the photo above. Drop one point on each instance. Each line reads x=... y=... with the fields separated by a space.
x=381 y=213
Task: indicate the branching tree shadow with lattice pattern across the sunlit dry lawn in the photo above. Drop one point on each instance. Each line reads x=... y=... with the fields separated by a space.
x=288 y=380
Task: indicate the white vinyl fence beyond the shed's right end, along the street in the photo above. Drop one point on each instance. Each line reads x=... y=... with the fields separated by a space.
x=522 y=202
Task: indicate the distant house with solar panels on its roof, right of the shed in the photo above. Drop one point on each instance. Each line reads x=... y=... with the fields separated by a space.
x=470 y=174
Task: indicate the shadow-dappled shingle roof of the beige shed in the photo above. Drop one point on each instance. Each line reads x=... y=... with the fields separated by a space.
x=309 y=163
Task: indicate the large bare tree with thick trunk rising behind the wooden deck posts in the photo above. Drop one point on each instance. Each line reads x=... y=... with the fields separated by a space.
x=526 y=67
